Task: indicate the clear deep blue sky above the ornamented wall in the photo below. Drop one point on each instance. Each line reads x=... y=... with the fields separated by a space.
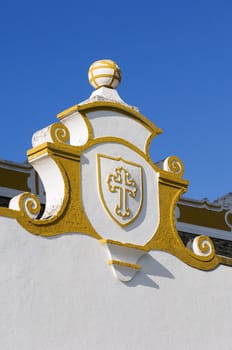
x=175 y=58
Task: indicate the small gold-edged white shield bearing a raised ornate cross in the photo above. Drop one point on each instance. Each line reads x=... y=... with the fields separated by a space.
x=120 y=188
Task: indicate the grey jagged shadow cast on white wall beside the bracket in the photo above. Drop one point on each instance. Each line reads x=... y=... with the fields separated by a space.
x=152 y=267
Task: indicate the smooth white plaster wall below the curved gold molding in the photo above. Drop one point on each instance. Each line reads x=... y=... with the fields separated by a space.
x=59 y=294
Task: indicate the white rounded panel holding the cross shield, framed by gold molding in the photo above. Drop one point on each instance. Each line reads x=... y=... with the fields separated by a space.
x=120 y=192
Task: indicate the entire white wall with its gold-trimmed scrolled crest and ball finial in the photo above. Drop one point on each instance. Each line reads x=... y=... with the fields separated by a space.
x=98 y=262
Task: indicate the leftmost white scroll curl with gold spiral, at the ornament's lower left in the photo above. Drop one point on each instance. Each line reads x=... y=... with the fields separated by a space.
x=27 y=203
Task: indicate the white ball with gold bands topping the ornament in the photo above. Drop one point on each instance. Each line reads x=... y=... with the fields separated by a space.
x=104 y=73
